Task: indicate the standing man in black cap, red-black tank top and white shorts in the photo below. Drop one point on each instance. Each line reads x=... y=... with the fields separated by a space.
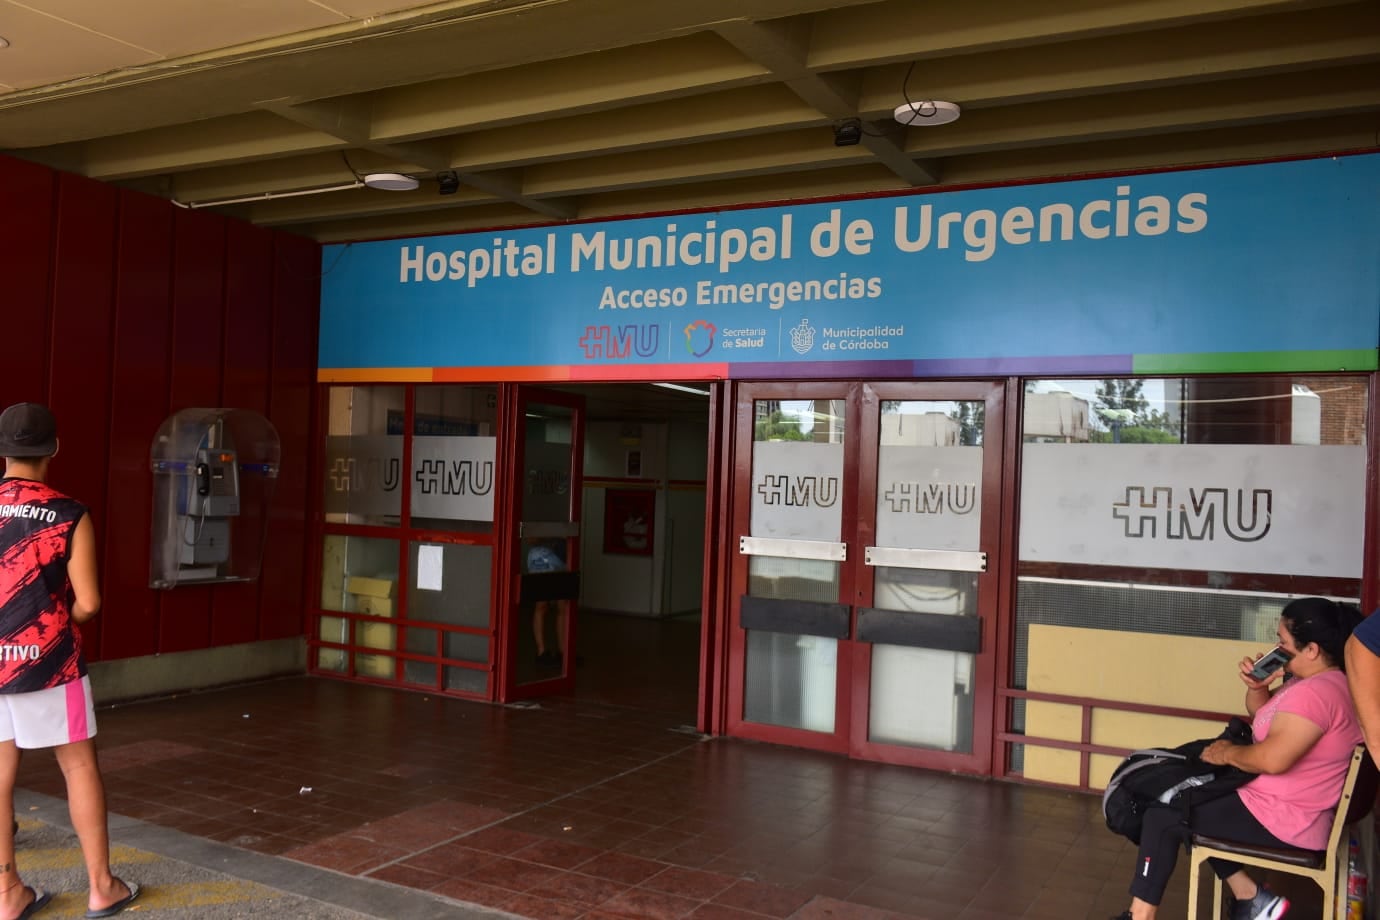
x=49 y=586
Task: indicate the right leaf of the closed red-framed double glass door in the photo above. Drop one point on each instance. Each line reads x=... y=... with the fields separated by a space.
x=927 y=602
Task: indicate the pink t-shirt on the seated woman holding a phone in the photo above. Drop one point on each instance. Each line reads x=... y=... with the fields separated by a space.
x=1298 y=805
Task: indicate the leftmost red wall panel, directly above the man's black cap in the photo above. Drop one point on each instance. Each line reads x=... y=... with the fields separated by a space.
x=27 y=192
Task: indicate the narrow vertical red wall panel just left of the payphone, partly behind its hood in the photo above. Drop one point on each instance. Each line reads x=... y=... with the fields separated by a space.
x=139 y=406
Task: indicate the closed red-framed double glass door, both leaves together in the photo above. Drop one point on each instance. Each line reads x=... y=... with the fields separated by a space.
x=865 y=577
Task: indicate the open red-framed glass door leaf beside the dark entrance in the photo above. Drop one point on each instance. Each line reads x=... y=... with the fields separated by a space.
x=544 y=559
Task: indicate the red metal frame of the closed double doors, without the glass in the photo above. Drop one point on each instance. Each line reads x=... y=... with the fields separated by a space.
x=860 y=450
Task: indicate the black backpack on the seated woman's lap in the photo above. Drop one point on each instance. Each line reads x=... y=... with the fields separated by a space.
x=1170 y=776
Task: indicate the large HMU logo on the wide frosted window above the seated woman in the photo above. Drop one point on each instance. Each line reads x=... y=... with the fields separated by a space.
x=1207 y=510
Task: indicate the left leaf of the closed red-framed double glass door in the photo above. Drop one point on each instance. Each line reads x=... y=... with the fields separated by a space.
x=791 y=584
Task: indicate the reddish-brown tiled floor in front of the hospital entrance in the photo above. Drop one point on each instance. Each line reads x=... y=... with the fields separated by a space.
x=587 y=809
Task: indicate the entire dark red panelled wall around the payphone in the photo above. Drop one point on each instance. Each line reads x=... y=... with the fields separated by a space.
x=125 y=310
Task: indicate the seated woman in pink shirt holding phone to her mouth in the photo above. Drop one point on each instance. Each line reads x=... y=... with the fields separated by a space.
x=1305 y=732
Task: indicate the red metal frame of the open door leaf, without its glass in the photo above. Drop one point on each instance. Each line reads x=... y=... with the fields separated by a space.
x=511 y=559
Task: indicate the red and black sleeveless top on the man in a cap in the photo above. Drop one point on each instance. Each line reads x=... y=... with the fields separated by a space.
x=39 y=645
